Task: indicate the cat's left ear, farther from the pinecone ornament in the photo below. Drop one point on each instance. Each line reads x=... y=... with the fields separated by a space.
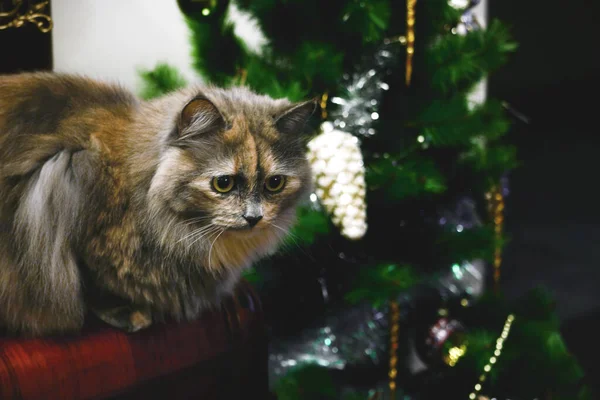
x=199 y=116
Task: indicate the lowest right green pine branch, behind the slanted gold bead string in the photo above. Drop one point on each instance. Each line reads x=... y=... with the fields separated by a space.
x=534 y=348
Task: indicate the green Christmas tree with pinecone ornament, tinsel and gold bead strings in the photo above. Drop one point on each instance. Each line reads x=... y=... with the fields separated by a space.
x=387 y=264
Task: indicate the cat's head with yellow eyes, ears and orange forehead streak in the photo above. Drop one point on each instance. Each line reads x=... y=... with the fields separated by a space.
x=236 y=168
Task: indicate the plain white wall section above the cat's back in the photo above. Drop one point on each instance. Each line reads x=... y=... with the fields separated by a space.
x=111 y=39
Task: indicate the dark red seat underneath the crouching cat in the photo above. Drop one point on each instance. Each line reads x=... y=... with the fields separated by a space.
x=216 y=354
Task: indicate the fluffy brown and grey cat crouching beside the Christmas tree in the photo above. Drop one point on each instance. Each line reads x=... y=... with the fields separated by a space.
x=137 y=210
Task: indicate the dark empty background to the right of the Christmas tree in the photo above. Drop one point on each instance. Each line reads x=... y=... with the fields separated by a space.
x=552 y=211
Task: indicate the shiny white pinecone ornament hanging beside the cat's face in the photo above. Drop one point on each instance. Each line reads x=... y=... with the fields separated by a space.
x=339 y=175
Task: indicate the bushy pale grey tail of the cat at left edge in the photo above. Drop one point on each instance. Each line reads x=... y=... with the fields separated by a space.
x=40 y=286
